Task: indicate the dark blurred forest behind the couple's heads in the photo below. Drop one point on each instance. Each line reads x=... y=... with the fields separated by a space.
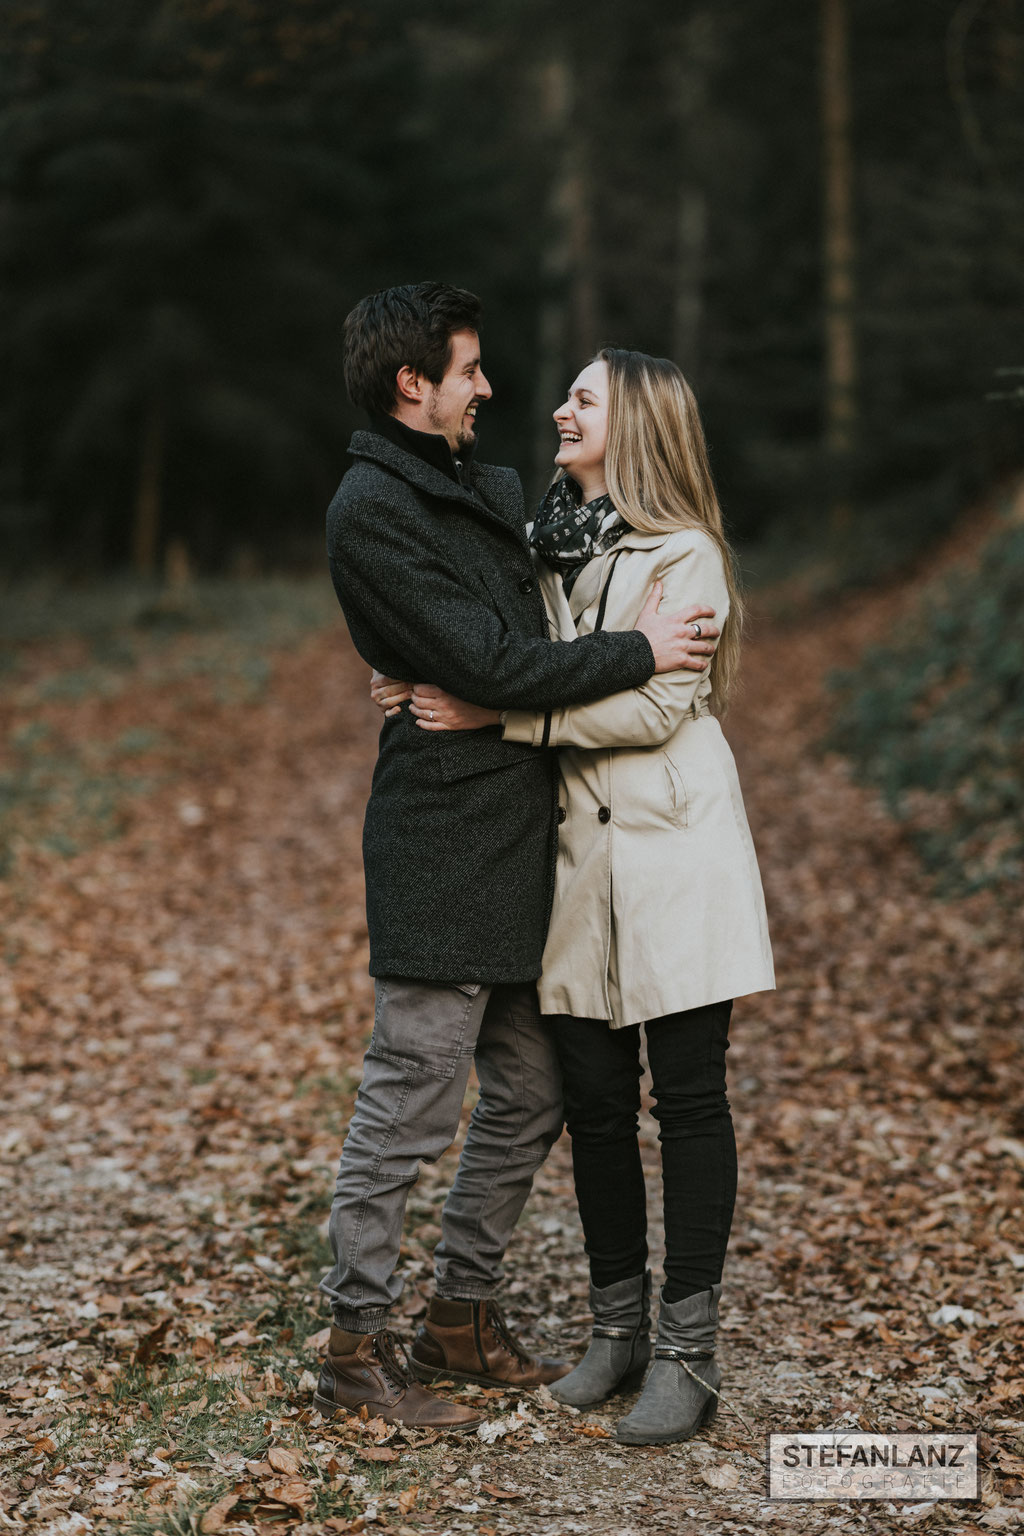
x=816 y=210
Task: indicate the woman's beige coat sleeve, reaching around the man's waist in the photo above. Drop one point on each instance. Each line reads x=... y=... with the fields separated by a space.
x=647 y=717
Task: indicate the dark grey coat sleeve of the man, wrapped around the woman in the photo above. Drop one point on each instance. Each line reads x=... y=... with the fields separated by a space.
x=397 y=578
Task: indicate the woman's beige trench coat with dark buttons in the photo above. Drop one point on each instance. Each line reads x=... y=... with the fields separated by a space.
x=658 y=899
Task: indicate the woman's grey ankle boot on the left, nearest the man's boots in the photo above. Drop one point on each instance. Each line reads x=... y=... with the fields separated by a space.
x=619 y=1348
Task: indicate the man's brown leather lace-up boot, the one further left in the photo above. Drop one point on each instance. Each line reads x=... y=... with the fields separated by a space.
x=372 y=1369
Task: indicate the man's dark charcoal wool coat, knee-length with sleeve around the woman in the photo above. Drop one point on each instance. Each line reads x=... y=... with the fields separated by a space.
x=460 y=839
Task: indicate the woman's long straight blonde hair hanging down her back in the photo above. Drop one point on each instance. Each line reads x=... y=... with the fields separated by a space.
x=659 y=477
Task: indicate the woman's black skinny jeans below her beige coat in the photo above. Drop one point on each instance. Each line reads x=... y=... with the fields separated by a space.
x=601 y=1071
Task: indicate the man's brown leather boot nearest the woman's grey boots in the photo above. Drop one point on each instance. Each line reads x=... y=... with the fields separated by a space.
x=472 y=1342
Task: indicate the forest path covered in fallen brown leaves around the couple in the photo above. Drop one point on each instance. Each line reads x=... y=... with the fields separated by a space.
x=185 y=1011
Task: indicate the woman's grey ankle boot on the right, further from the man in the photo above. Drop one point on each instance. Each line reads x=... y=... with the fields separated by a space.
x=673 y=1405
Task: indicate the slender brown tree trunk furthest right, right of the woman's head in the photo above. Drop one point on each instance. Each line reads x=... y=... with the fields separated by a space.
x=839 y=253
